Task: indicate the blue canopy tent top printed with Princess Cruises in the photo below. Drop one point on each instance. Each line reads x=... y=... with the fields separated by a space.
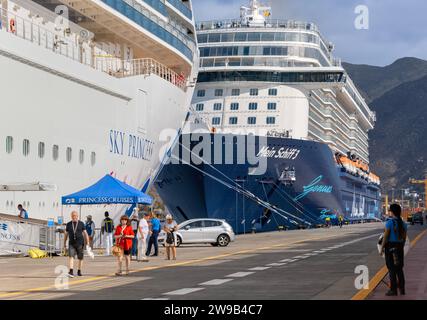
x=108 y=190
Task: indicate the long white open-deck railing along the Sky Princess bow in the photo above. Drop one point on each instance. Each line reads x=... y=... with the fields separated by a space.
x=81 y=51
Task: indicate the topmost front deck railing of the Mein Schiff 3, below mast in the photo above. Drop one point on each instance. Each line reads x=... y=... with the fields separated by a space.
x=269 y=23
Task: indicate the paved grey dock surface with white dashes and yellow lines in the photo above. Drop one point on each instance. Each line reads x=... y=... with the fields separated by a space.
x=304 y=264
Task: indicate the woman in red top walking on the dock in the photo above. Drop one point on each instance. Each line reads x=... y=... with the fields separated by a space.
x=124 y=235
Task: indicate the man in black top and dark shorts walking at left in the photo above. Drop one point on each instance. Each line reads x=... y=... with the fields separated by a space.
x=75 y=232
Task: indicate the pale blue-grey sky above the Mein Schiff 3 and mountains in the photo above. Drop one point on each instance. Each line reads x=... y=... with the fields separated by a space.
x=397 y=28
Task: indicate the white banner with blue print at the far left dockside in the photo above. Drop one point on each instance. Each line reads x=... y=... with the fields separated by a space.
x=18 y=237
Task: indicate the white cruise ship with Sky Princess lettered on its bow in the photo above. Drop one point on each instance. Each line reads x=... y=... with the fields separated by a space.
x=87 y=87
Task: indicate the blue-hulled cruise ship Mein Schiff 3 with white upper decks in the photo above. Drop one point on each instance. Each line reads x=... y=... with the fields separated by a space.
x=278 y=133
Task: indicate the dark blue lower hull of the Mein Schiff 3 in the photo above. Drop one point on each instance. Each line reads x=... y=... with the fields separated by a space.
x=217 y=190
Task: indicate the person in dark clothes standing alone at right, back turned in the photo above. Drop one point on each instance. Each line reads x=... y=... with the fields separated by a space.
x=393 y=244
